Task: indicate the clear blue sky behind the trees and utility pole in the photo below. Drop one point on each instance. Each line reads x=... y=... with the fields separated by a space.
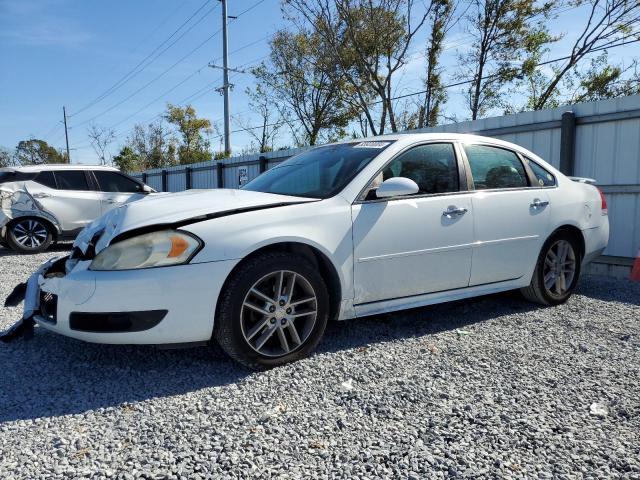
x=65 y=52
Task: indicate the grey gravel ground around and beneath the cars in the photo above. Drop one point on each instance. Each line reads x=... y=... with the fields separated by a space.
x=492 y=387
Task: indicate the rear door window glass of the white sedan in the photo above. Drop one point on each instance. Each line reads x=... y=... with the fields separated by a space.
x=493 y=167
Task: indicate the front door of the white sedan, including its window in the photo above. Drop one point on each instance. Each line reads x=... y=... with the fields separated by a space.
x=415 y=244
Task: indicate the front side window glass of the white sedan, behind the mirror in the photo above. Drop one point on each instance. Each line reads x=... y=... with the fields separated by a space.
x=432 y=166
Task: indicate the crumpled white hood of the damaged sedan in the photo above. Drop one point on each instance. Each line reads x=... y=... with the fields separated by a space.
x=174 y=210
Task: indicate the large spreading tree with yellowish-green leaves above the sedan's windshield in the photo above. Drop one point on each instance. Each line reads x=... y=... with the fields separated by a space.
x=366 y=43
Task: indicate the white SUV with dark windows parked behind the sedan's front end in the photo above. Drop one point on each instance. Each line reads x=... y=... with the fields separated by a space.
x=44 y=203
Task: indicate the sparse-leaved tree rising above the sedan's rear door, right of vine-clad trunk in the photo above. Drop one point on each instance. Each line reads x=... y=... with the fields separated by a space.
x=504 y=33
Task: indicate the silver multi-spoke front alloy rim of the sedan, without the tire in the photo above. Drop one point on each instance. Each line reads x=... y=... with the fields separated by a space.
x=278 y=313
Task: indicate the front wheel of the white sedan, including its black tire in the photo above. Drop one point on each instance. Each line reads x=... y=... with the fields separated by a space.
x=273 y=310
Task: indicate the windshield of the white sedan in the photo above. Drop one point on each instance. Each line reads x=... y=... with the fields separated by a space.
x=318 y=173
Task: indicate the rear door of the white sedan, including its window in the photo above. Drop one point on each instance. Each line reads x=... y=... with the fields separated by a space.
x=511 y=214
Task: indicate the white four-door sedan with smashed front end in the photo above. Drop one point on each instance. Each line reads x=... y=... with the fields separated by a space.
x=340 y=231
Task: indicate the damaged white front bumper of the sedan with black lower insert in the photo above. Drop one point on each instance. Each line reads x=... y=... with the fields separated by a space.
x=166 y=305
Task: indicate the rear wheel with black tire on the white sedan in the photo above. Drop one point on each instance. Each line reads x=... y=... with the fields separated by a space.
x=557 y=271
